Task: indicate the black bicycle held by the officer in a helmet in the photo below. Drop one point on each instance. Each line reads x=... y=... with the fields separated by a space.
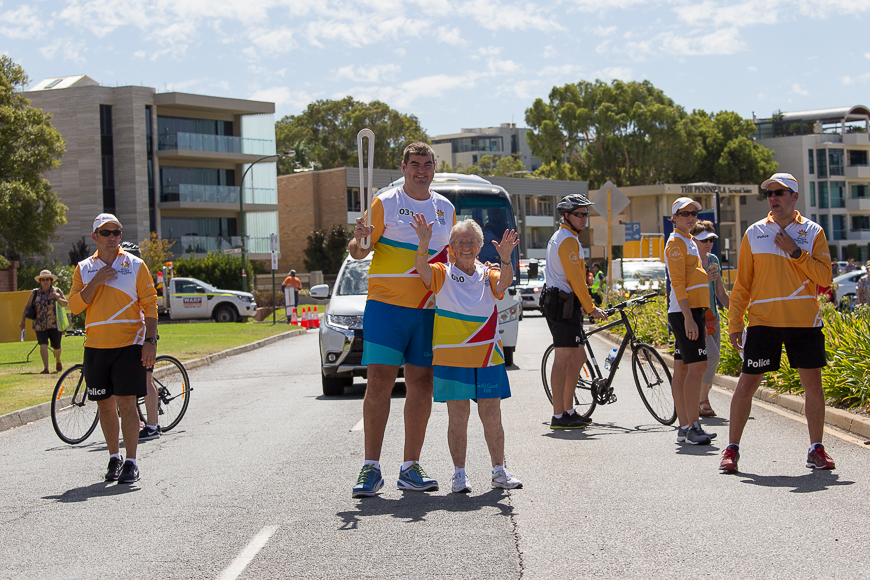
x=651 y=374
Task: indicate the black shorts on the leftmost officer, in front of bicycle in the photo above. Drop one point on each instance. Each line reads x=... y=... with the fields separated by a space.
x=114 y=371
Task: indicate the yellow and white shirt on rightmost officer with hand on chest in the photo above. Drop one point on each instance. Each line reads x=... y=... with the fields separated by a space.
x=777 y=290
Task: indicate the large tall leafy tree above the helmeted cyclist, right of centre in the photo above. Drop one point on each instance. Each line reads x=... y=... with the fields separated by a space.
x=630 y=133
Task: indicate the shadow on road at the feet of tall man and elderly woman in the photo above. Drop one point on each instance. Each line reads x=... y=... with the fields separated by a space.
x=414 y=506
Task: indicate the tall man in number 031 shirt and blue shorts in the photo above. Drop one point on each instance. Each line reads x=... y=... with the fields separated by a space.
x=399 y=315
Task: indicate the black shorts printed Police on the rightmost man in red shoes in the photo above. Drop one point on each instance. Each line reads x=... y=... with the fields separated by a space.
x=762 y=348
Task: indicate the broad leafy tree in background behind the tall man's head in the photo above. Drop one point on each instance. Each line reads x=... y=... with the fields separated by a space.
x=326 y=133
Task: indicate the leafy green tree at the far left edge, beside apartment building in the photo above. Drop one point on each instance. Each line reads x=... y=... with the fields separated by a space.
x=29 y=146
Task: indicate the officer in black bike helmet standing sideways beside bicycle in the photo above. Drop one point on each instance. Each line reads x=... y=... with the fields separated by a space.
x=566 y=292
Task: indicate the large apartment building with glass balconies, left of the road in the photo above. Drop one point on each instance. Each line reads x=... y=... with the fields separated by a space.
x=169 y=163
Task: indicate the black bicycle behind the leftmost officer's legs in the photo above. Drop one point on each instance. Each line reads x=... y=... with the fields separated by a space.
x=74 y=417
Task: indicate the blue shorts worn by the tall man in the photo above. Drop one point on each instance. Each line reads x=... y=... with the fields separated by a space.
x=394 y=335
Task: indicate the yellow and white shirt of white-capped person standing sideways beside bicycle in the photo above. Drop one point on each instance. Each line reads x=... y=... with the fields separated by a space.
x=686 y=272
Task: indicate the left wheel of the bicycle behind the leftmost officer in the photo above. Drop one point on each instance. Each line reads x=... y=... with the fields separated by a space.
x=73 y=416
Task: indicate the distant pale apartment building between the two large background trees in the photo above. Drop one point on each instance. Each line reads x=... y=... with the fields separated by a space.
x=470 y=145
